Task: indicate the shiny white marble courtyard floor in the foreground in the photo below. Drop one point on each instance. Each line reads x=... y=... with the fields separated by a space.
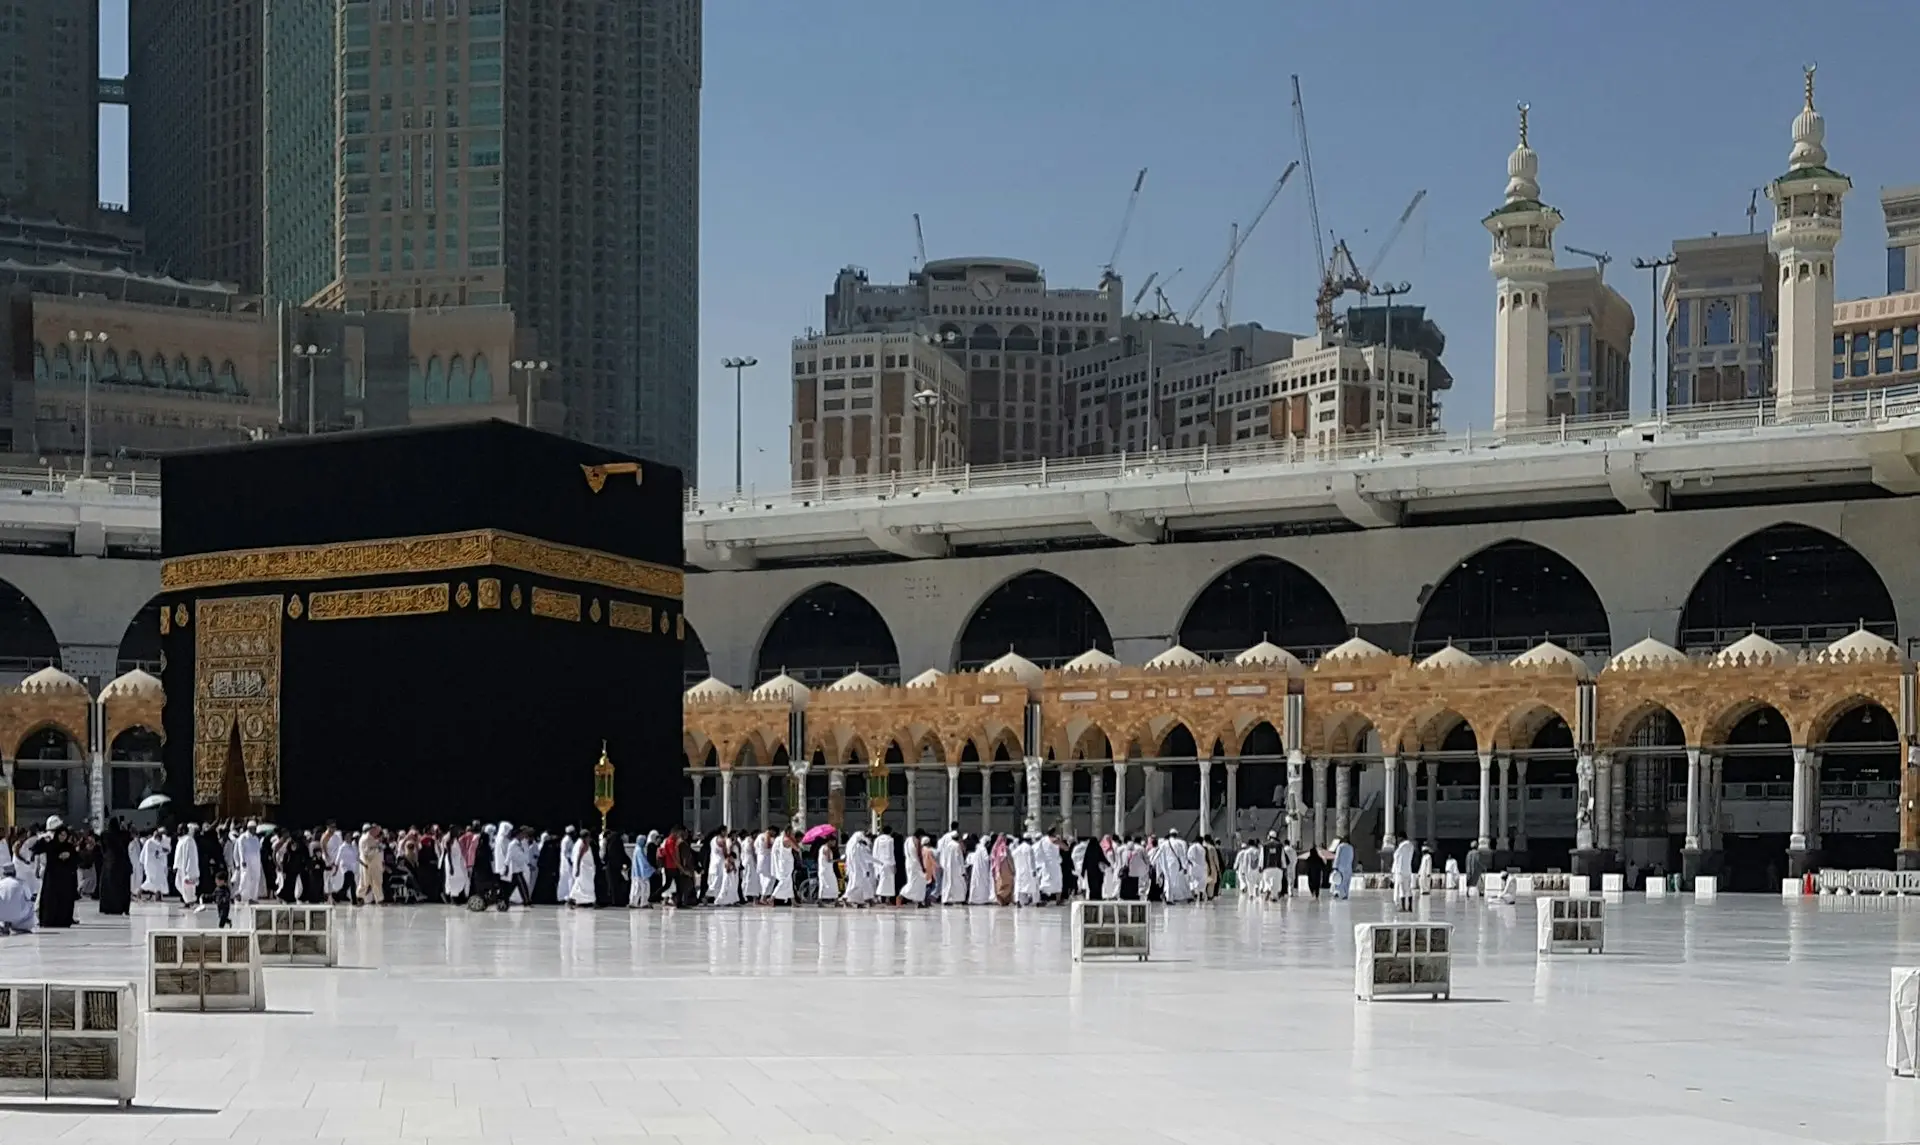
x=1744 y=1021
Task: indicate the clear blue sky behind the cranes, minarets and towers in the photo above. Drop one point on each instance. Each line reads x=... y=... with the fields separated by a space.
x=1017 y=128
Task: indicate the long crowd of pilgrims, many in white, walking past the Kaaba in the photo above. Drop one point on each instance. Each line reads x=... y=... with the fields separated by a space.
x=45 y=871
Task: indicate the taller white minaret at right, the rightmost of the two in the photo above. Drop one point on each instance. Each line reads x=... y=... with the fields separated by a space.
x=1804 y=239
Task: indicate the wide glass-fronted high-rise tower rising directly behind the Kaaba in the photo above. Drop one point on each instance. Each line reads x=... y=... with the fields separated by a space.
x=542 y=155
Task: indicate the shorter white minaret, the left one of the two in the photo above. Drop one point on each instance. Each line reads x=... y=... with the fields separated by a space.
x=1524 y=256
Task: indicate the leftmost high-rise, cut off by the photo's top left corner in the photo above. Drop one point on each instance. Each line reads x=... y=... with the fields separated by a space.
x=49 y=110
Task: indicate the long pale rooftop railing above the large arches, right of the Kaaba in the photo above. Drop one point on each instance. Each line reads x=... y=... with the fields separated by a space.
x=1727 y=420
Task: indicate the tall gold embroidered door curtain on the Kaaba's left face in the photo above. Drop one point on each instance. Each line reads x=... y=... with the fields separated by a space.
x=237 y=683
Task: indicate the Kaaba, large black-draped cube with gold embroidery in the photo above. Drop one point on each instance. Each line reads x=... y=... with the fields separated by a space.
x=423 y=625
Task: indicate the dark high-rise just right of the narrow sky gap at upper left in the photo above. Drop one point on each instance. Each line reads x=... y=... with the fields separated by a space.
x=195 y=135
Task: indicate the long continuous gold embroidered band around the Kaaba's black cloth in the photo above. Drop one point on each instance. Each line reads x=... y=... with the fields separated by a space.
x=421 y=554
